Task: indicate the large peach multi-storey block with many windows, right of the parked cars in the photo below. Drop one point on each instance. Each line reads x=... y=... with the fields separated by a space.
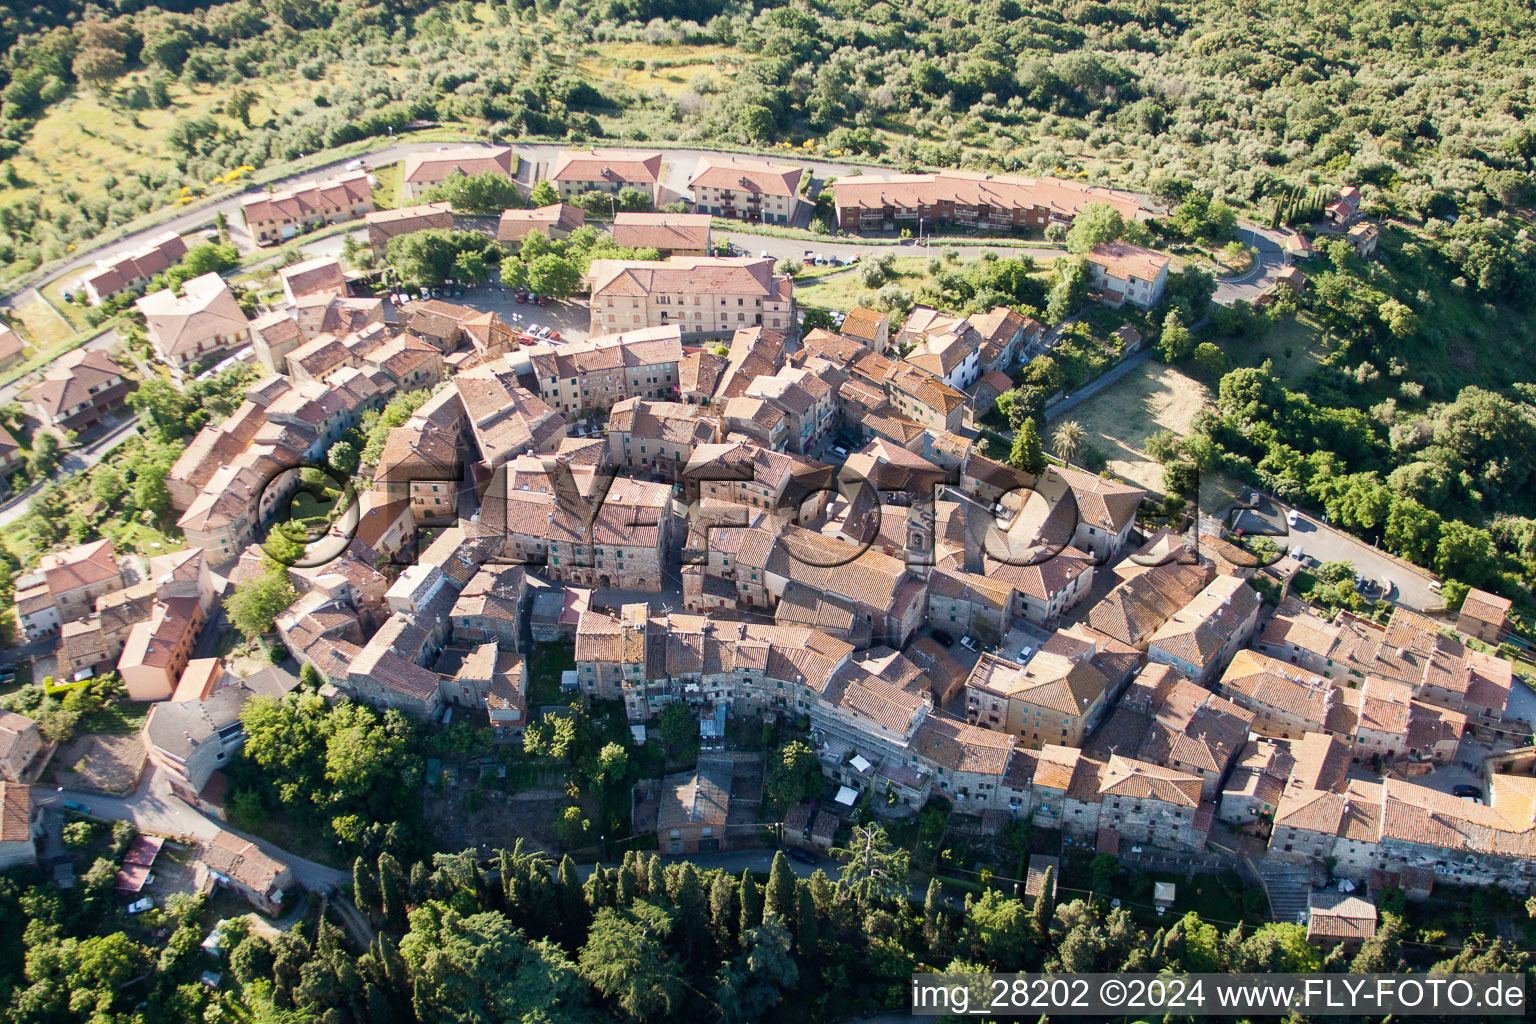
x=701 y=296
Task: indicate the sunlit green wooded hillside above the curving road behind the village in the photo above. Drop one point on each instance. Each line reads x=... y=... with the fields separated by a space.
x=1426 y=107
